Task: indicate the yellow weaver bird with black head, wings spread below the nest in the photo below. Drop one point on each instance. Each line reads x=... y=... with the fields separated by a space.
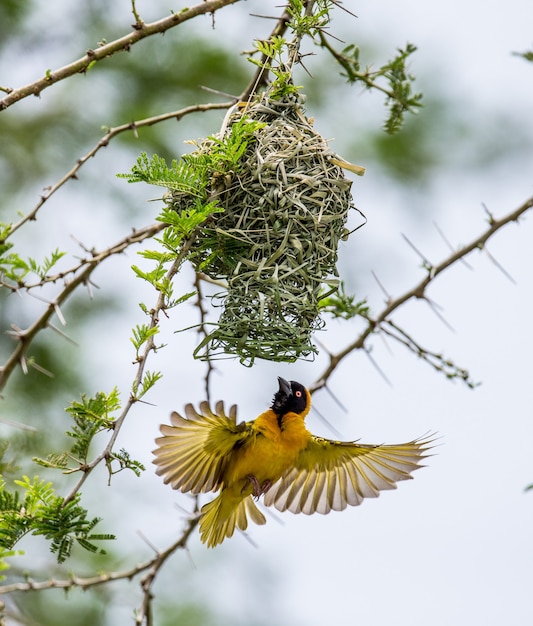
x=274 y=456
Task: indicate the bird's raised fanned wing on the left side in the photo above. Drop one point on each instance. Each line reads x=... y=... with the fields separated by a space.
x=193 y=453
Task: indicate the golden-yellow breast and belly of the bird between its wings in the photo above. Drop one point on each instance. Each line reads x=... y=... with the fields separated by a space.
x=271 y=450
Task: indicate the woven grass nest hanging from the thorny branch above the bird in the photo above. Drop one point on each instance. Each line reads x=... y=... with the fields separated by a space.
x=275 y=243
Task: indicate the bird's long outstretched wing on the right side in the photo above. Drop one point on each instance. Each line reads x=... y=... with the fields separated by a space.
x=330 y=475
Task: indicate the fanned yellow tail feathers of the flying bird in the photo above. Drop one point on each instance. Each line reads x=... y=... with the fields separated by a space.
x=220 y=517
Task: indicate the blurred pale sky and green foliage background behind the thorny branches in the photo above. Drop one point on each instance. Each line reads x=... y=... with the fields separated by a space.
x=452 y=546
